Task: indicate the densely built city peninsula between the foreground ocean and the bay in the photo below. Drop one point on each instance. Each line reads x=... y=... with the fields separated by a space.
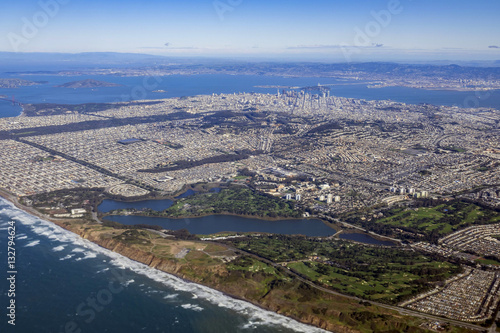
x=423 y=179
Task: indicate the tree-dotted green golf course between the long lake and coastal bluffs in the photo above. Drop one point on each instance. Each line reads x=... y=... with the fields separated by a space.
x=388 y=275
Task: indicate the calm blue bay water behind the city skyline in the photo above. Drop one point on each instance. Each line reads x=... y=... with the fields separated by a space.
x=138 y=88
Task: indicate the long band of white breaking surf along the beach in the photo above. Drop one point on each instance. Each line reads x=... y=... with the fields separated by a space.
x=256 y=315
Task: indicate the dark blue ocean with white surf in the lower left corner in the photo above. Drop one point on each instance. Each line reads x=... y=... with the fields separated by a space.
x=67 y=284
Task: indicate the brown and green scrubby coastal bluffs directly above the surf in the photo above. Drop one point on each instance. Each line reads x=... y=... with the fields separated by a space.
x=267 y=287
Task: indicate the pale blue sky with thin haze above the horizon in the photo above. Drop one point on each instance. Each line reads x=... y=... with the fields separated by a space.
x=283 y=29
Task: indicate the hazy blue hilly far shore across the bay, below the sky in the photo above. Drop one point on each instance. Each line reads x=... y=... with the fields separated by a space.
x=377 y=75
